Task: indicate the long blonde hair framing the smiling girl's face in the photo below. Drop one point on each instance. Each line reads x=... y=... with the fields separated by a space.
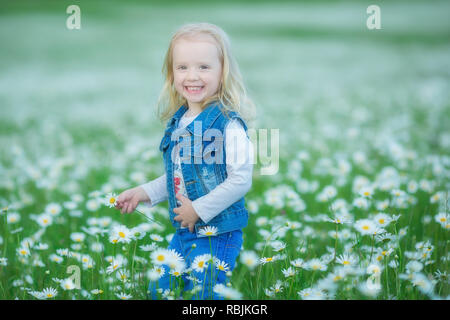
x=231 y=93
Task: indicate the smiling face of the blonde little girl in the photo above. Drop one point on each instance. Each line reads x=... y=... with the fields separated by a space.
x=197 y=69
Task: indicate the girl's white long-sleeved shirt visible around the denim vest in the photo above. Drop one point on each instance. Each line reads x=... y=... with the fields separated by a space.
x=239 y=166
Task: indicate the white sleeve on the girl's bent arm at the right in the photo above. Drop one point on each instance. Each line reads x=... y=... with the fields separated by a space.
x=239 y=166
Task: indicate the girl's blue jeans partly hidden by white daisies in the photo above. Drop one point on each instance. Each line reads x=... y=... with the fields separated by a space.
x=225 y=246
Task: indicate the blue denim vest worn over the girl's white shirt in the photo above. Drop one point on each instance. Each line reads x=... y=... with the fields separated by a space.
x=202 y=154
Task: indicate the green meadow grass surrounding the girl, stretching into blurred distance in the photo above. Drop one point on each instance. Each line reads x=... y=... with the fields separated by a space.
x=78 y=115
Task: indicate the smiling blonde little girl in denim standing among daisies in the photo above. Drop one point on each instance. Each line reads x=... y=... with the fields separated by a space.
x=208 y=159
